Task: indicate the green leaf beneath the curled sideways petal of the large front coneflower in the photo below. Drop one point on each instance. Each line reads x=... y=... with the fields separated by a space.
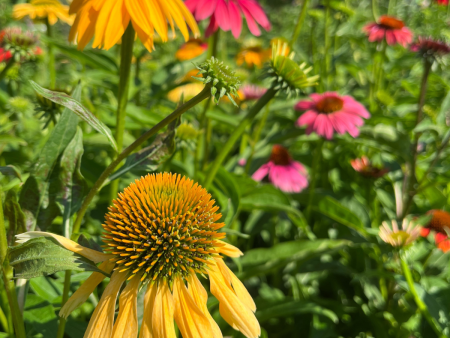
x=44 y=256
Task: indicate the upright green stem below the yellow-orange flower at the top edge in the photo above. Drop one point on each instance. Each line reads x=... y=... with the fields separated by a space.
x=126 y=55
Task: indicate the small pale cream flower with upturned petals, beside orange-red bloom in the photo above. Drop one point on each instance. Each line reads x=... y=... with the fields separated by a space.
x=396 y=237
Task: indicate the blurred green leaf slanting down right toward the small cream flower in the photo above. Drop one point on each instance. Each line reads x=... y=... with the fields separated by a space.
x=331 y=208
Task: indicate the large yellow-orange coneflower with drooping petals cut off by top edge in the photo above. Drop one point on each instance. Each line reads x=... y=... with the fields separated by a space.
x=108 y=20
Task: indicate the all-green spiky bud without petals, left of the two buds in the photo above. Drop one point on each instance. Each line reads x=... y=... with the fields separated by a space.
x=221 y=78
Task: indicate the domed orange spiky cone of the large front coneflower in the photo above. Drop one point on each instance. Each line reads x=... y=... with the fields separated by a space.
x=162 y=226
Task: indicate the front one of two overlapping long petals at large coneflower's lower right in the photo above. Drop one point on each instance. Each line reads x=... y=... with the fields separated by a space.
x=231 y=308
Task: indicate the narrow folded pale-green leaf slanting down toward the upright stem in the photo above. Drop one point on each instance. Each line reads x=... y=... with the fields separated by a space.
x=75 y=106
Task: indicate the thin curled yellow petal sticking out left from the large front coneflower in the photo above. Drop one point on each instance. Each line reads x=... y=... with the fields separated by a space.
x=93 y=255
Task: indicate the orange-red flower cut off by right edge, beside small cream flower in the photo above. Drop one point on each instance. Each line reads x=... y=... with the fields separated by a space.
x=440 y=225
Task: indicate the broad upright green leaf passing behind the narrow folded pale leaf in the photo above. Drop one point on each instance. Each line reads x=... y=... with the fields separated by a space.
x=34 y=198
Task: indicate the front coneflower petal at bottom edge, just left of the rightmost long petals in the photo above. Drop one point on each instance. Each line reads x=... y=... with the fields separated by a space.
x=191 y=321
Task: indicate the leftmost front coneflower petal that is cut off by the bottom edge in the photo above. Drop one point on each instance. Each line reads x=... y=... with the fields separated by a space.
x=102 y=320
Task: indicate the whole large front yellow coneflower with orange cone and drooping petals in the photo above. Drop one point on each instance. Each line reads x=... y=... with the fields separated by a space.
x=160 y=232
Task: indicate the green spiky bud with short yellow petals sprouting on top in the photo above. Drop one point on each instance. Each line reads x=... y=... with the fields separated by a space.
x=286 y=74
